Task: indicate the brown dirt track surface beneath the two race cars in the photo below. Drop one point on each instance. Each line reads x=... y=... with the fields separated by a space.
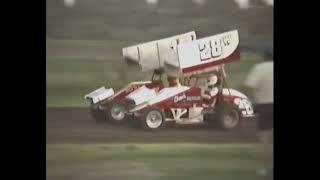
x=75 y=125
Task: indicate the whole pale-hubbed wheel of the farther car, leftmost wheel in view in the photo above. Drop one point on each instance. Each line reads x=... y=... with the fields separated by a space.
x=116 y=112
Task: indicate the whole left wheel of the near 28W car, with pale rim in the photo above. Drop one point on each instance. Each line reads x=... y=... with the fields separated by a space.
x=152 y=119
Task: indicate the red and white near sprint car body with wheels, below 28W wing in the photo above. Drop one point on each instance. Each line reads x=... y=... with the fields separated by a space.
x=185 y=105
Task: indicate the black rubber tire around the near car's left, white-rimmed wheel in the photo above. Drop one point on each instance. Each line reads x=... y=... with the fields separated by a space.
x=145 y=123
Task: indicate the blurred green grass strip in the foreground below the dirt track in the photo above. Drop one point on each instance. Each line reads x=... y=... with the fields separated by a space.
x=156 y=161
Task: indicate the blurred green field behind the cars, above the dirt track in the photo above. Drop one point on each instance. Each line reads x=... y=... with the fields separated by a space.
x=84 y=38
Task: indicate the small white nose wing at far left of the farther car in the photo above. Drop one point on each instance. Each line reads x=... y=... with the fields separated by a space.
x=99 y=95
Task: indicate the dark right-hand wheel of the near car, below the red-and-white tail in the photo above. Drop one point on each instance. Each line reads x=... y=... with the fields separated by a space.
x=229 y=117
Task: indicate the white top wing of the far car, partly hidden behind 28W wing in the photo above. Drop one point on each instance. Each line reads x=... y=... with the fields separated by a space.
x=152 y=55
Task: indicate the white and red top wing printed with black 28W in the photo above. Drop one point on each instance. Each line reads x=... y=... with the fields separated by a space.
x=207 y=53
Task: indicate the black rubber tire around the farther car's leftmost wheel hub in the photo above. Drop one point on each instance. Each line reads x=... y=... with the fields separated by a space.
x=109 y=115
